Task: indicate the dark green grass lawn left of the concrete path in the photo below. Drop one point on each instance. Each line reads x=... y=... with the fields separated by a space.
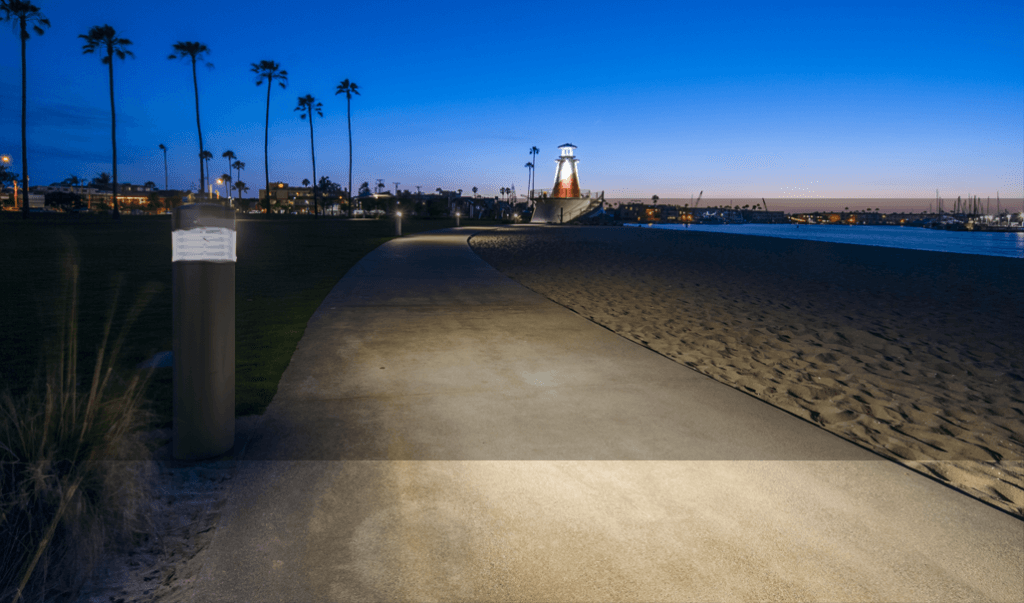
x=286 y=268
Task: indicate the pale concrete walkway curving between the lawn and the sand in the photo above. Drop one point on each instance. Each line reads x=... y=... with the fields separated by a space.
x=445 y=435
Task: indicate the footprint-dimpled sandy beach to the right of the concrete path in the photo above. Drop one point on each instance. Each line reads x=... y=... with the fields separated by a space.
x=916 y=356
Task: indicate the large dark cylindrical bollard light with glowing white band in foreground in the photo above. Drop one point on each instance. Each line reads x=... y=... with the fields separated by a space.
x=203 y=310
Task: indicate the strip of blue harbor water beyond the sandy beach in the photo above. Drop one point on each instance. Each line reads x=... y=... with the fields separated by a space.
x=1008 y=245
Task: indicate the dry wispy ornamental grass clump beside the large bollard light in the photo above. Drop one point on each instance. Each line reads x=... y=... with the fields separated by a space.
x=74 y=469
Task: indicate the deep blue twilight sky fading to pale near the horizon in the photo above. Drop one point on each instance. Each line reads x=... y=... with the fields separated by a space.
x=847 y=100
